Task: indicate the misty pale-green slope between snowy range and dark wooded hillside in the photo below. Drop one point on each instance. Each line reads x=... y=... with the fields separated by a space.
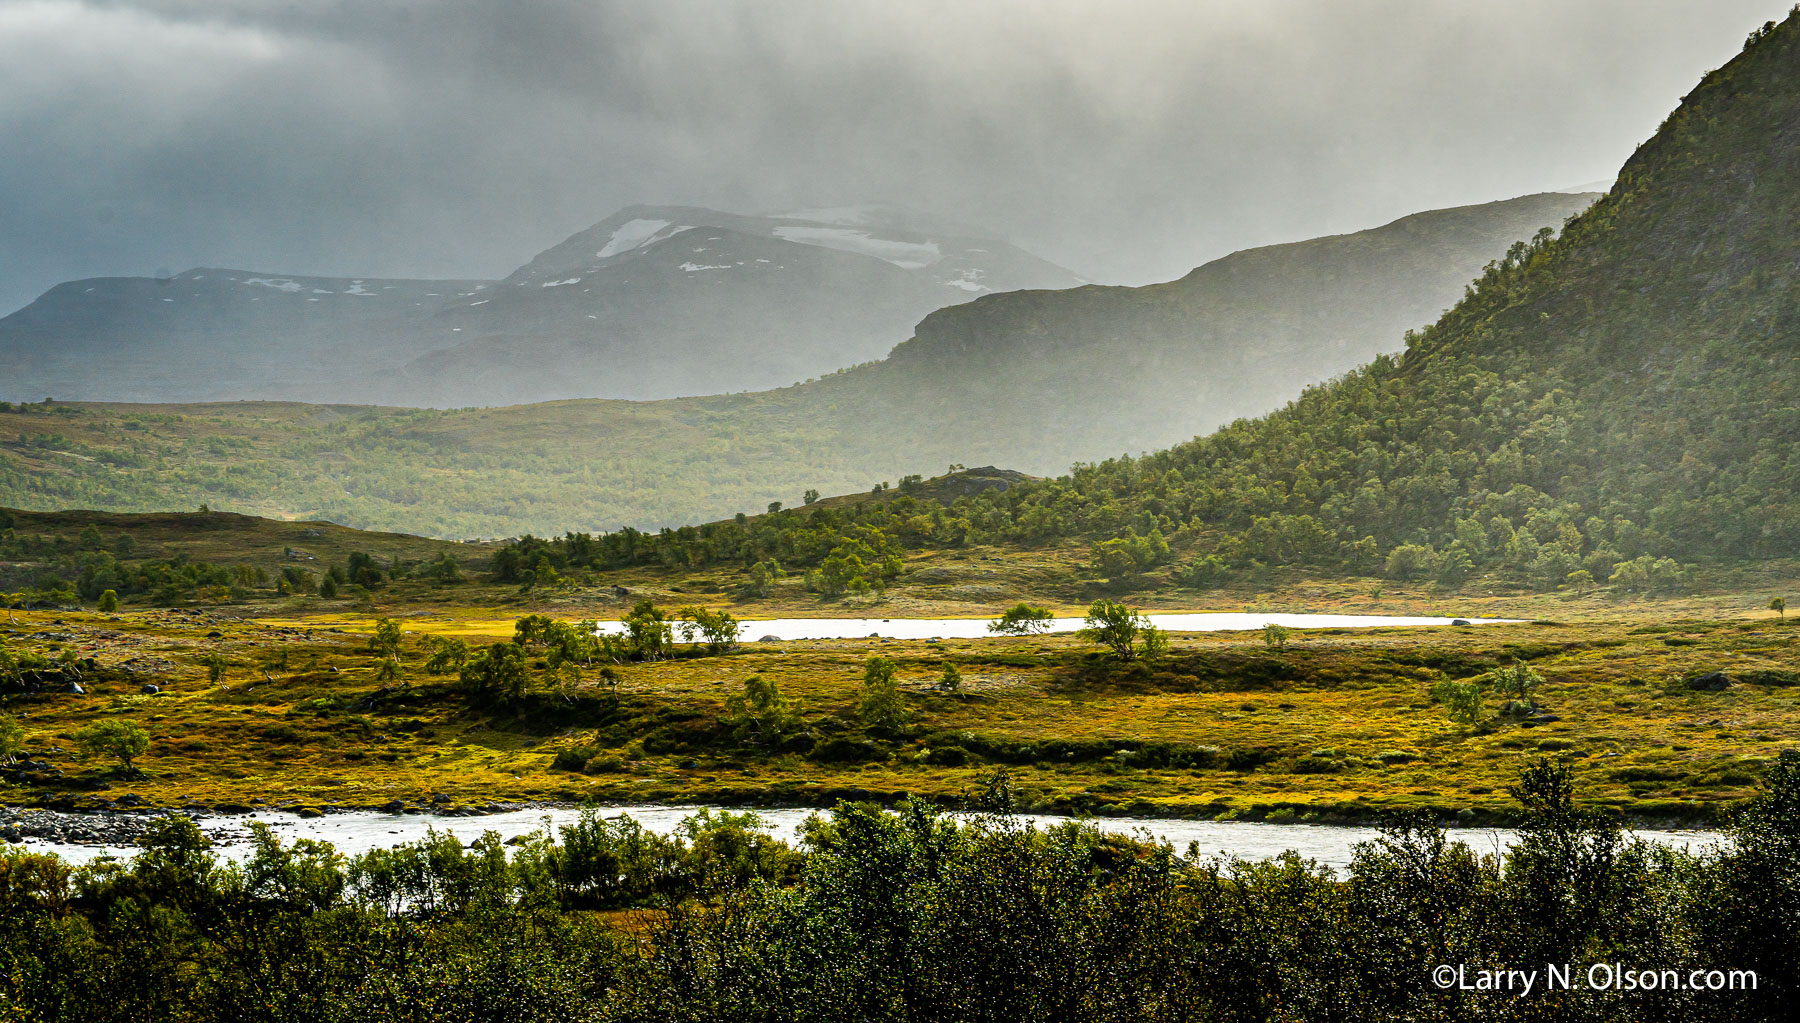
x=1034 y=381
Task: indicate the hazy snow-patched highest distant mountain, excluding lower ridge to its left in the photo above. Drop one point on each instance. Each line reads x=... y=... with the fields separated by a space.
x=661 y=302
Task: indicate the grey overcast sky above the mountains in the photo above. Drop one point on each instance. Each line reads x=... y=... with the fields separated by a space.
x=1128 y=141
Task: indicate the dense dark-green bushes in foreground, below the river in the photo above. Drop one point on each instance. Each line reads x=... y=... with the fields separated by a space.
x=912 y=916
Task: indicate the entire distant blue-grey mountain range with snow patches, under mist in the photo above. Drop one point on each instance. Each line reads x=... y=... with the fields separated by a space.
x=651 y=303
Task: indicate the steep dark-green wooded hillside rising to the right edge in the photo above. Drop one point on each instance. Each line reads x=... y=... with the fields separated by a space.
x=1617 y=404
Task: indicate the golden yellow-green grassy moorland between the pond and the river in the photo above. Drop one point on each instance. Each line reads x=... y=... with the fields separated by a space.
x=1342 y=720
